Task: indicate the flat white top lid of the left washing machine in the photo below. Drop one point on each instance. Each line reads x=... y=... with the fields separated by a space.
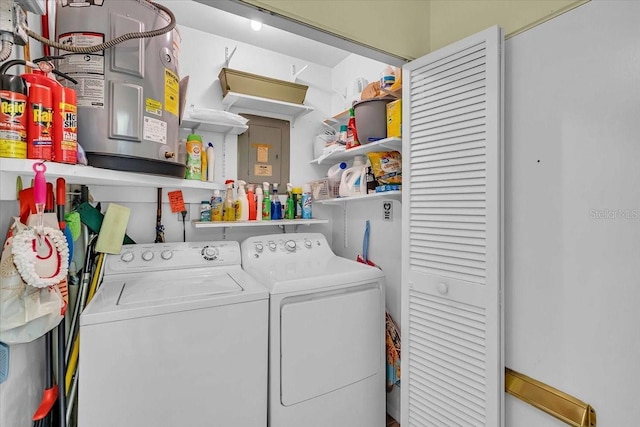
x=168 y=290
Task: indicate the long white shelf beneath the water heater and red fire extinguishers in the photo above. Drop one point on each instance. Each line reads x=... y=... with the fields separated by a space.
x=88 y=175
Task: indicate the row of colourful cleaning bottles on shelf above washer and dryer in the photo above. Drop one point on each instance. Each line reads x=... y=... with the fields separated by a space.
x=255 y=202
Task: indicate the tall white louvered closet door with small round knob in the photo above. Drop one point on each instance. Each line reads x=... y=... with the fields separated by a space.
x=452 y=354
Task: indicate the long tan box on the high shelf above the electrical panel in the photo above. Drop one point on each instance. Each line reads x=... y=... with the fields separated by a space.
x=263 y=87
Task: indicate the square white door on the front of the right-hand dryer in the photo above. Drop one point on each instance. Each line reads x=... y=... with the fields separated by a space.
x=330 y=340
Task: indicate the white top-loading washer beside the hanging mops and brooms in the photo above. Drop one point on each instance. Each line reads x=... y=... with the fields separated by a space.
x=176 y=335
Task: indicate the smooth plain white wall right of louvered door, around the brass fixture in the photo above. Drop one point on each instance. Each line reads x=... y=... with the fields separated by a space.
x=573 y=210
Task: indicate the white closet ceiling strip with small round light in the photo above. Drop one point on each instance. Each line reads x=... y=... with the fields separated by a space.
x=212 y=20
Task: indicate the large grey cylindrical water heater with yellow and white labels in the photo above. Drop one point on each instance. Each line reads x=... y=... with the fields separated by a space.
x=128 y=95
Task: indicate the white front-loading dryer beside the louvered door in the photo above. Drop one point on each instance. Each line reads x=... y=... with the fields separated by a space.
x=326 y=332
